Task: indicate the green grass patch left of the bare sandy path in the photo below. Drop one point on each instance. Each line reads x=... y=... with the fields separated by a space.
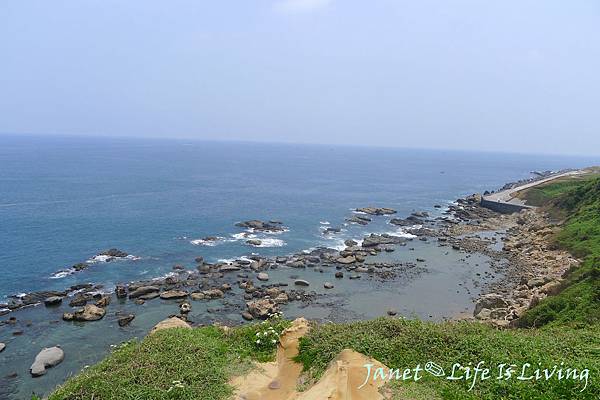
x=171 y=364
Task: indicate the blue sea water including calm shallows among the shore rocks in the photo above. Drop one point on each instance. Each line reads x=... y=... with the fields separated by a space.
x=62 y=200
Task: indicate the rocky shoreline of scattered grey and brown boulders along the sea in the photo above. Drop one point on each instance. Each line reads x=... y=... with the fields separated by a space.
x=526 y=268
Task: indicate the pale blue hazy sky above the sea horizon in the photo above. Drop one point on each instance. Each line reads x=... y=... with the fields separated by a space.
x=495 y=75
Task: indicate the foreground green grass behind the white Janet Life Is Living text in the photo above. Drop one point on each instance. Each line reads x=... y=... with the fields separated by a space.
x=405 y=343
